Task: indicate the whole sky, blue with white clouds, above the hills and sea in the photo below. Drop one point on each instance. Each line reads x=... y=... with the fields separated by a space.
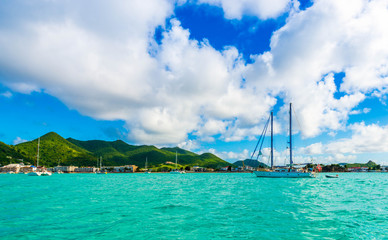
x=202 y=75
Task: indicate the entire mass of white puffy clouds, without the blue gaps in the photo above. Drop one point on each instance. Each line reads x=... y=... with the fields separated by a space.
x=103 y=61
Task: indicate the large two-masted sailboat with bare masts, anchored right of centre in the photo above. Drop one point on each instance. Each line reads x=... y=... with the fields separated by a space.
x=283 y=172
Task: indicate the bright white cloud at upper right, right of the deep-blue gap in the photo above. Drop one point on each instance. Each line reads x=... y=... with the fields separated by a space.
x=327 y=38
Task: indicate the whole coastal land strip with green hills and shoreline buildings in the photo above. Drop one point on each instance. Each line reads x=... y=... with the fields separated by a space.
x=58 y=154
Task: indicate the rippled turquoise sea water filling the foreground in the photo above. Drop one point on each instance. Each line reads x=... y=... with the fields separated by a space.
x=193 y=206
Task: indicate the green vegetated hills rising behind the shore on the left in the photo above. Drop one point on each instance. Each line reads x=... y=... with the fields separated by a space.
x=54 y=149
